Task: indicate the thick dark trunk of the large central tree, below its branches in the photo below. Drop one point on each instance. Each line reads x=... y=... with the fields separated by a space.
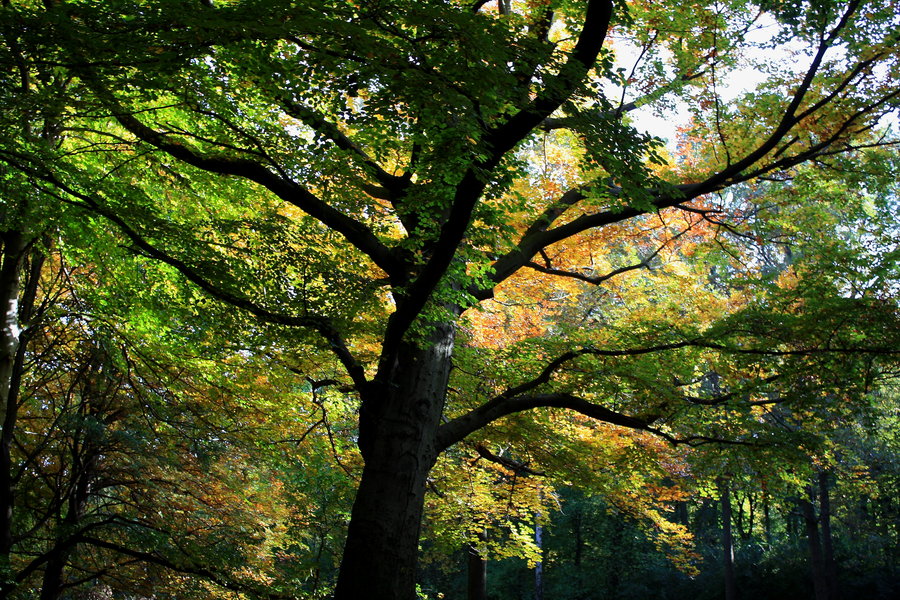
x=400 y=415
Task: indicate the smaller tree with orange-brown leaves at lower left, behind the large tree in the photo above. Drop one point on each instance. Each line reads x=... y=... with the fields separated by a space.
x=98 y=498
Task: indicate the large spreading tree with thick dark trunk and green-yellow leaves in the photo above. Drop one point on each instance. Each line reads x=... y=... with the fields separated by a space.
x=356 y=174
